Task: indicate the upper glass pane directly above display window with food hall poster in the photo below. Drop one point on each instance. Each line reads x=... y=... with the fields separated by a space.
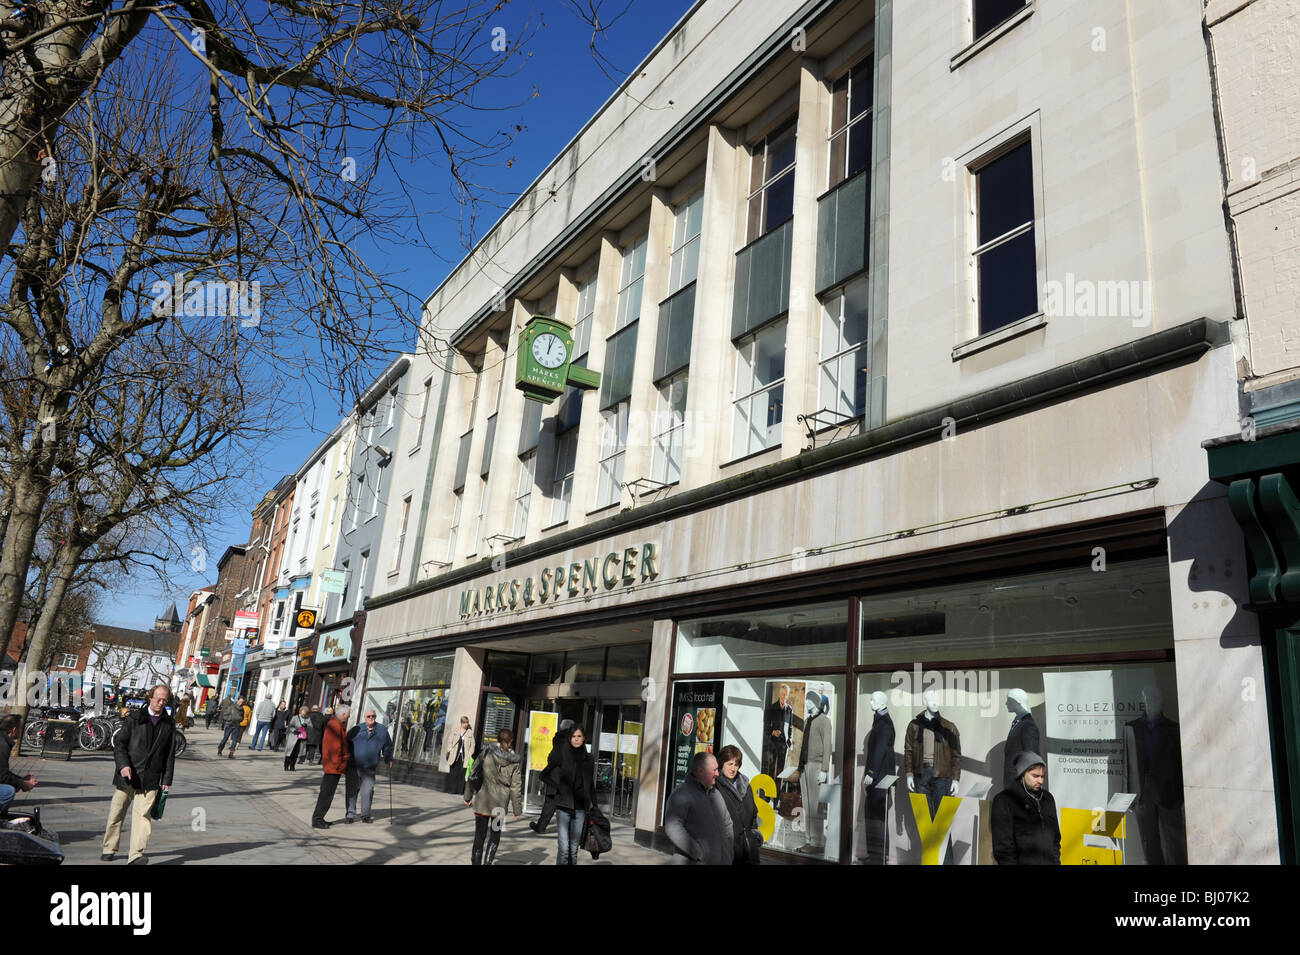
x=808 y=636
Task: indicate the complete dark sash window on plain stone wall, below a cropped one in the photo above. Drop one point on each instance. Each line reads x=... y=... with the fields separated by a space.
x=1006 y=258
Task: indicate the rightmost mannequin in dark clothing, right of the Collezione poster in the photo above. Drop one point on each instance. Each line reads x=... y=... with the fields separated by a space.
x=1154 y=766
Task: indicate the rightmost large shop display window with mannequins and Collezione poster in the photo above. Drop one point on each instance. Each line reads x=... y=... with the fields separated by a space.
x=937 y=744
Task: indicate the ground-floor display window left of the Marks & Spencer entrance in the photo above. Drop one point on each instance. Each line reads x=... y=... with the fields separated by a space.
x=410 y=697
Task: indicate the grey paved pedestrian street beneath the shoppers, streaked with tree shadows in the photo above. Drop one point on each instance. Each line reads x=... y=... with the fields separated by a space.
x=250 y=811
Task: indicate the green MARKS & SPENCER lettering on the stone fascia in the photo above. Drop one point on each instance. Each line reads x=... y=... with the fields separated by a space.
x=597 y=575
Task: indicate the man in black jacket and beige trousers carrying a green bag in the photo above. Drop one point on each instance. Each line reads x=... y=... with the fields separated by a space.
x=144 y=758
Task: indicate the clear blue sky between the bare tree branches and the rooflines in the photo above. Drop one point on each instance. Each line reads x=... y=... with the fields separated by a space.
x=570 y=86
